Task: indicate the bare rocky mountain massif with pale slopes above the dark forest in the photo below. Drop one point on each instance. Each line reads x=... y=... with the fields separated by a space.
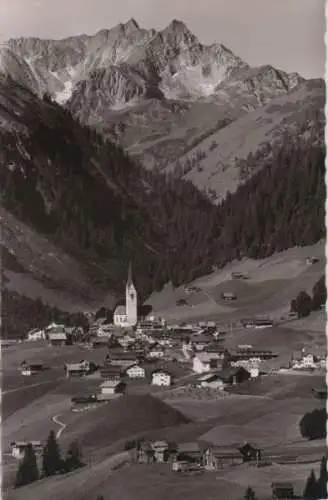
x=161 y=94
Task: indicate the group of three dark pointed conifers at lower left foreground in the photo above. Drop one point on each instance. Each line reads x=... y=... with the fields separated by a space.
x=52 y=462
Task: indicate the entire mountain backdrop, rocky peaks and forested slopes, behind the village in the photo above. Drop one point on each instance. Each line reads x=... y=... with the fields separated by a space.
x=123 y=146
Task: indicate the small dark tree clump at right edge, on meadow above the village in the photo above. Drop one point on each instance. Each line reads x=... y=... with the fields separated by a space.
x=304 y=304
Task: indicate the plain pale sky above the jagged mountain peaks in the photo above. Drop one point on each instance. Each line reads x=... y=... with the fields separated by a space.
x=288 y=34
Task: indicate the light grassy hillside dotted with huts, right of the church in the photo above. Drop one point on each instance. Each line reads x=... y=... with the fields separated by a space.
x=273 y=282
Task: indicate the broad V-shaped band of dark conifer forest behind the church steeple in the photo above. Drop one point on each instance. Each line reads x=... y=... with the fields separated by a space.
x=89 y=197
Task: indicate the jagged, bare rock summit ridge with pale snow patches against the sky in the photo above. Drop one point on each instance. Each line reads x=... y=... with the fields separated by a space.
x=171 y=63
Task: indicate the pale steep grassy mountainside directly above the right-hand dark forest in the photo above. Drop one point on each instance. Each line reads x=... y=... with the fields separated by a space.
x=218 y=163
